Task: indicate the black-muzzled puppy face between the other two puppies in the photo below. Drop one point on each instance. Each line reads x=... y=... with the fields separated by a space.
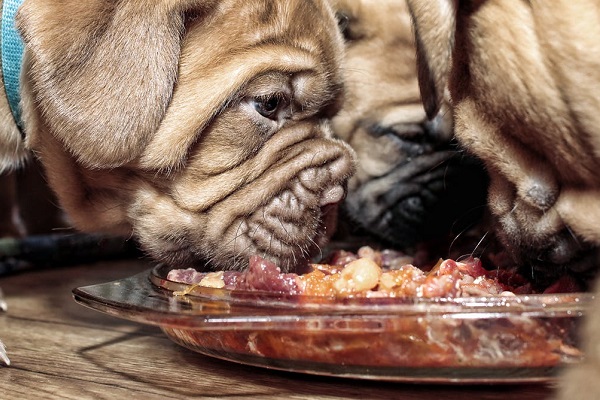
x=412 y=182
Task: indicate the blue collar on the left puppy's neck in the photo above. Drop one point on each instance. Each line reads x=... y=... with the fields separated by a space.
x=12 y=57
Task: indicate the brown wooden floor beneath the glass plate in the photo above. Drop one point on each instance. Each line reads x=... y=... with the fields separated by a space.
x=62 y=350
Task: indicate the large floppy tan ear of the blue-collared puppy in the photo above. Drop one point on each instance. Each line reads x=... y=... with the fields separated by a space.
x=103 y=71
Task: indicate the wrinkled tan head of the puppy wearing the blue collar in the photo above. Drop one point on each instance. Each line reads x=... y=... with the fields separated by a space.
x=199 y=127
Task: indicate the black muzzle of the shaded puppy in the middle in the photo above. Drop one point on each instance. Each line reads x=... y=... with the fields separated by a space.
x=432 y=196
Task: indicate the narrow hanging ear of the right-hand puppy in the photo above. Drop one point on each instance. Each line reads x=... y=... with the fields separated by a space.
x=434 y=25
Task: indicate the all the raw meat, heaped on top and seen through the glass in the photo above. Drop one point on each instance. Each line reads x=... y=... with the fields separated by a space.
x=447 y=331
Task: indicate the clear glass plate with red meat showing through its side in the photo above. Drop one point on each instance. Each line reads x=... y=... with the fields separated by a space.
x=514 y=339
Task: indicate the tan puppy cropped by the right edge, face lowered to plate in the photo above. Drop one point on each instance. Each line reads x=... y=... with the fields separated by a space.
x=523 y=78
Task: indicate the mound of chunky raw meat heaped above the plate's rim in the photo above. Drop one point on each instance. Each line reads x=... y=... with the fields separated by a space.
x=371 y=273
